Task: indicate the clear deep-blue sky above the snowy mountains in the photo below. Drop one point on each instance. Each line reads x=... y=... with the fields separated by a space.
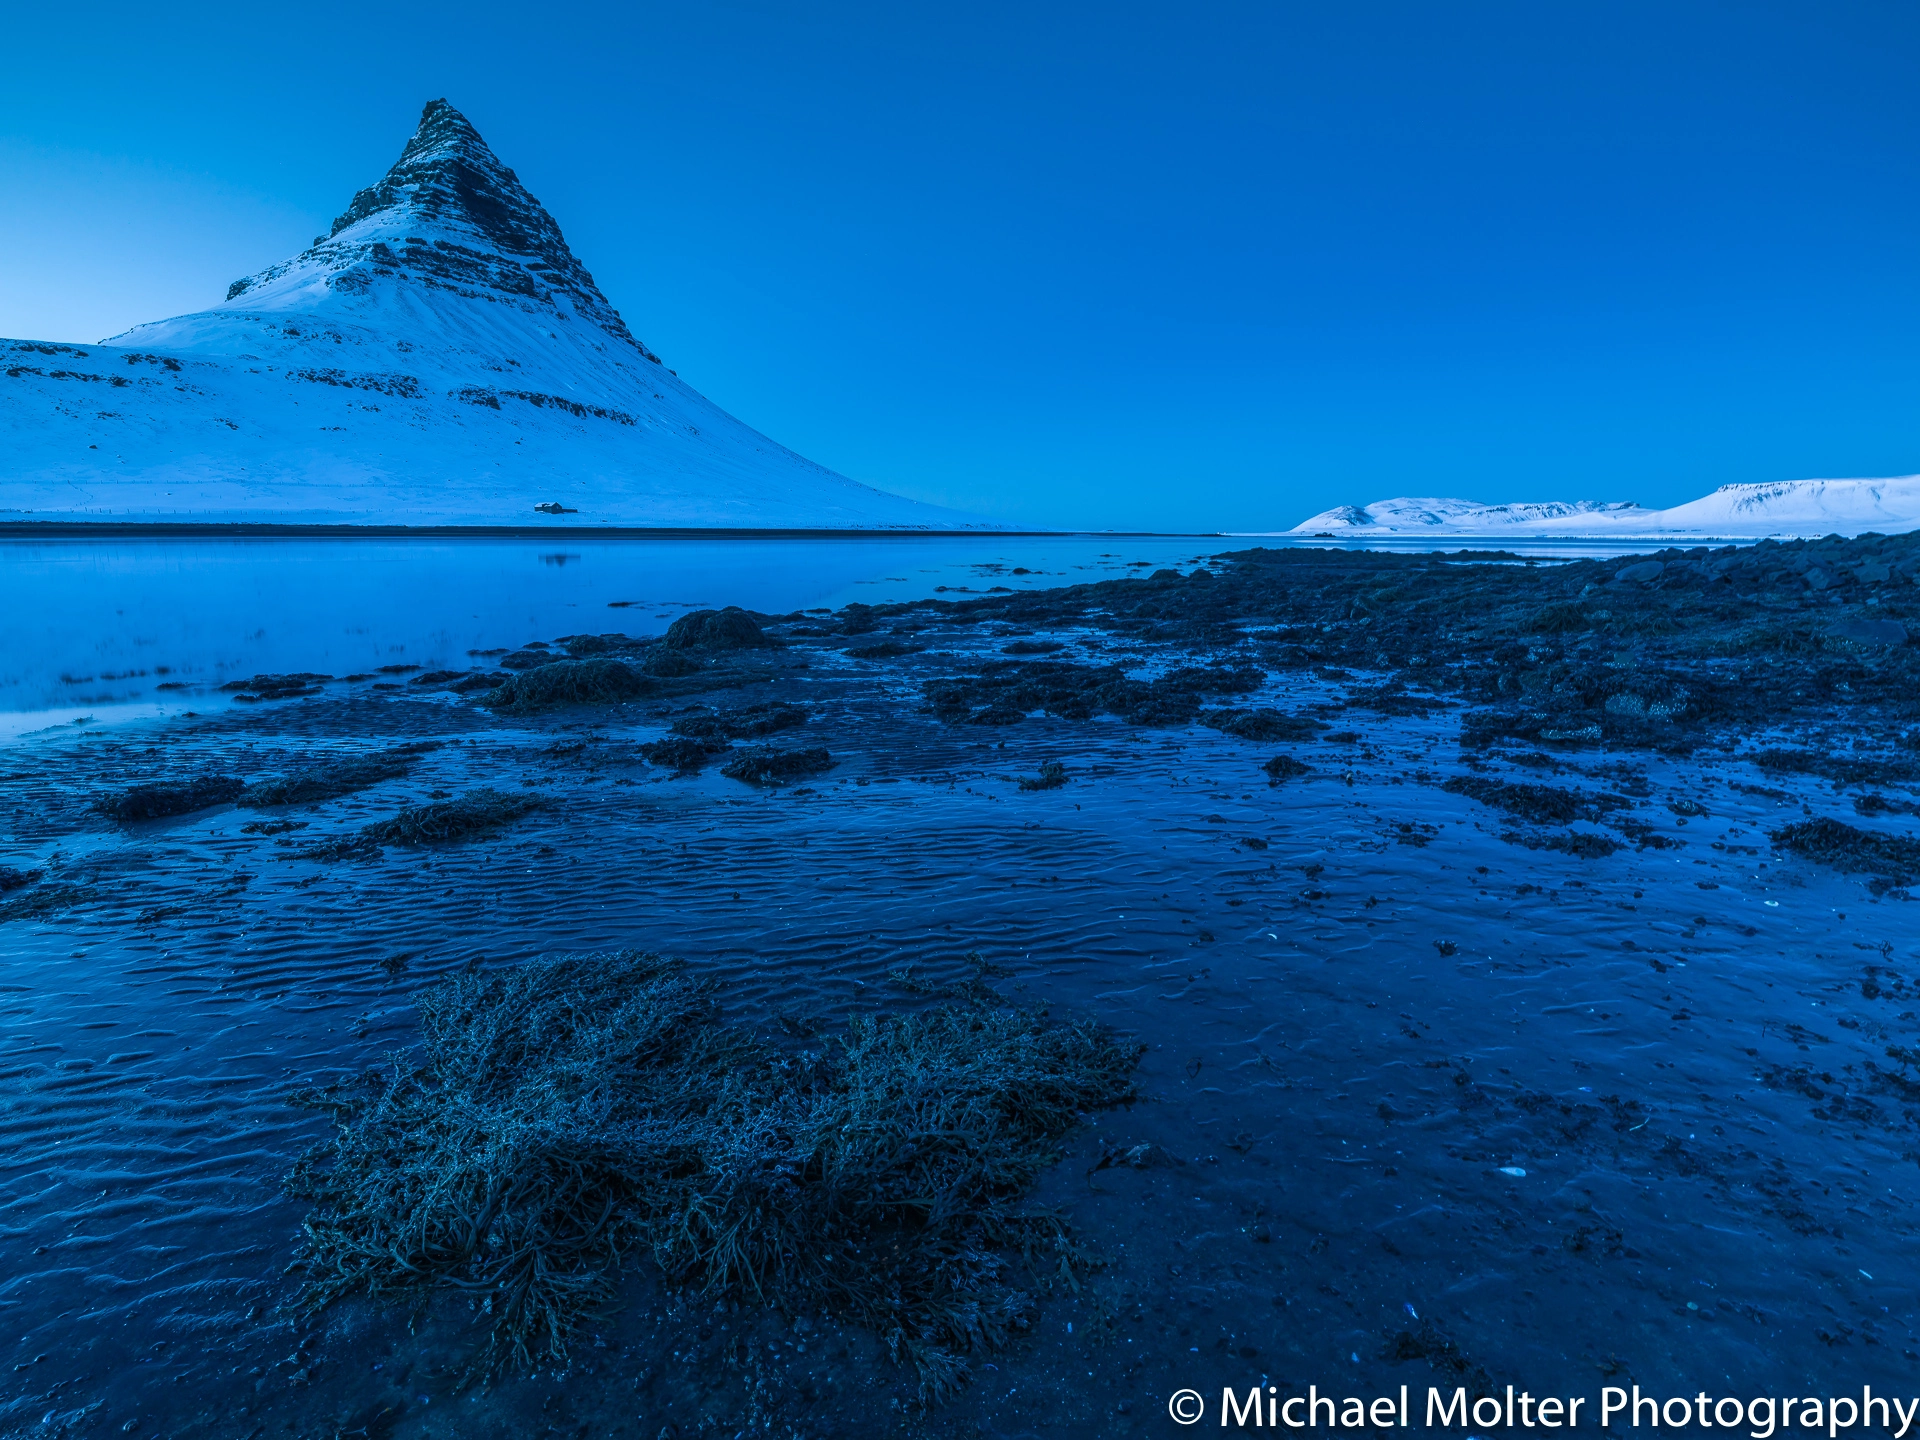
x=1203 y=266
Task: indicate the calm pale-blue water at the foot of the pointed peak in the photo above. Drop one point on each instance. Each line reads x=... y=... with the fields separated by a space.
x=99 y=625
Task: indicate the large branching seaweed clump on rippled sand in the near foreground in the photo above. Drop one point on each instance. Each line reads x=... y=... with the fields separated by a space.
x=579 y=1111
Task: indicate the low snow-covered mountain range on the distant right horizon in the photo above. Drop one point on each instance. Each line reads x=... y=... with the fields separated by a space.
x=1787 y=508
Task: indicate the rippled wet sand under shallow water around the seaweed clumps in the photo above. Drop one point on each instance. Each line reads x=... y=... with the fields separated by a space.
x=1600 y=1122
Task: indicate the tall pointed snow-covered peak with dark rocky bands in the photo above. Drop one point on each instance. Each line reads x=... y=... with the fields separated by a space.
x=439 y=358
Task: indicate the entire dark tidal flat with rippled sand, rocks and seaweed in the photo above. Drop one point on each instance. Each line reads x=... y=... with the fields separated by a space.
x=986 y=1017
